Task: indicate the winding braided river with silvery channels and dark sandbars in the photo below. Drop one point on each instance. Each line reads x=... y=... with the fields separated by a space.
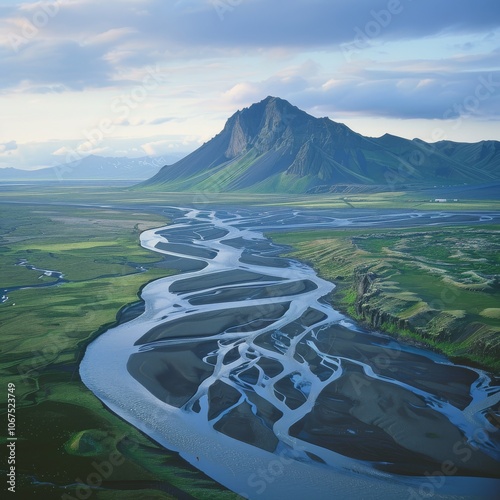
x=240 y=364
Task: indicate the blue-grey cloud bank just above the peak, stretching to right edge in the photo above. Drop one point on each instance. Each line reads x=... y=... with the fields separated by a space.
x=408 y=89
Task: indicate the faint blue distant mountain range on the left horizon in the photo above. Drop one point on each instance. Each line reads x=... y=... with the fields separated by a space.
x=89 y=168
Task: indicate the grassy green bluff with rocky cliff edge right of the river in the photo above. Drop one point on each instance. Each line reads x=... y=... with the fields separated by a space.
x=439 y=286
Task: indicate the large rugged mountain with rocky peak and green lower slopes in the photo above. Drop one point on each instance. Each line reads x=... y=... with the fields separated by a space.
x=273 y=146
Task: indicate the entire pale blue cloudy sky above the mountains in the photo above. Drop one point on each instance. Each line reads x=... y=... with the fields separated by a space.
x=161 y=77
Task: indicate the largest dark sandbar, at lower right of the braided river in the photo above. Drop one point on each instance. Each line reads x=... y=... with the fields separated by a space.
x=369 y=419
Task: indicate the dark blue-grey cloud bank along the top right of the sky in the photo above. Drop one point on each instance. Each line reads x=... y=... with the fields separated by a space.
x=299 y=23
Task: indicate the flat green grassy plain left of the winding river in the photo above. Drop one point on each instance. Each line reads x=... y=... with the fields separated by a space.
x=69 y=445
